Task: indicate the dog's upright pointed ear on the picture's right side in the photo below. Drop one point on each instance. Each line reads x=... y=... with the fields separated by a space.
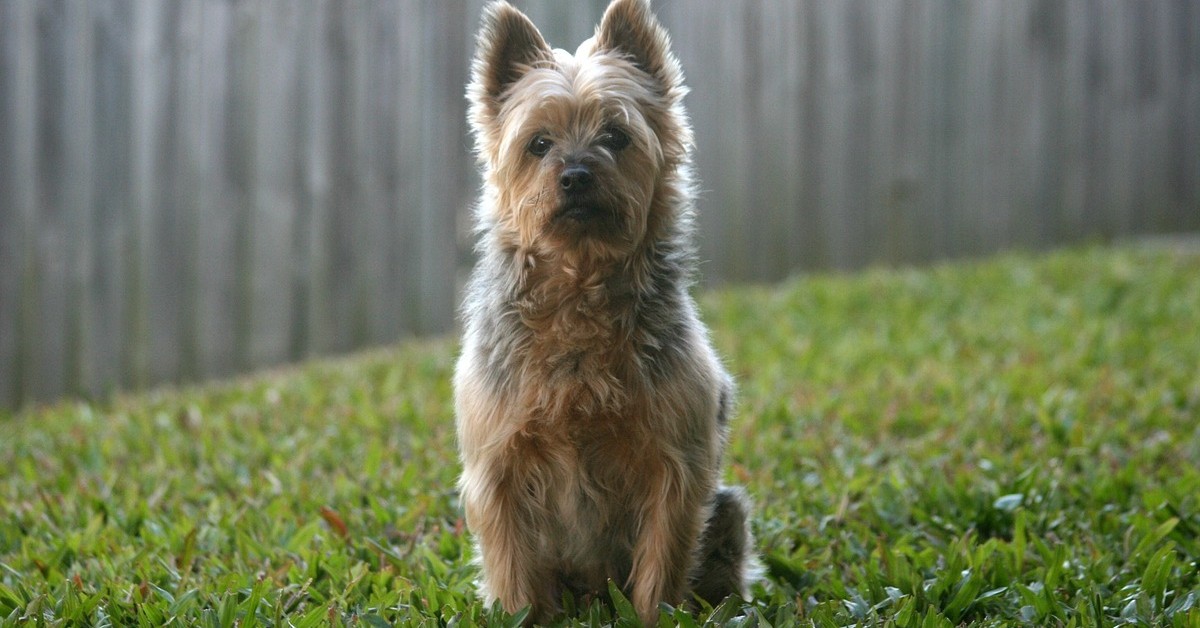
x=631 y=28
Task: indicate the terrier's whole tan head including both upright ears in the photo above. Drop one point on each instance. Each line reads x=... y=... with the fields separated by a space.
x=575 y=148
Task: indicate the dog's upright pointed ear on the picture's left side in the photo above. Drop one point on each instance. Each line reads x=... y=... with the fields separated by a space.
x=508 y=46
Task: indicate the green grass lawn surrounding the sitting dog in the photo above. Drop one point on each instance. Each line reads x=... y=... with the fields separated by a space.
x=1003 y=442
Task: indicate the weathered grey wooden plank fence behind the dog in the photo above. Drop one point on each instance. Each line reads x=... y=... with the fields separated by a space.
x=196 y=188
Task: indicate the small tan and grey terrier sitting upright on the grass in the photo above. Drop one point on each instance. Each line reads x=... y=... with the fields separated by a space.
x=591 y=408
